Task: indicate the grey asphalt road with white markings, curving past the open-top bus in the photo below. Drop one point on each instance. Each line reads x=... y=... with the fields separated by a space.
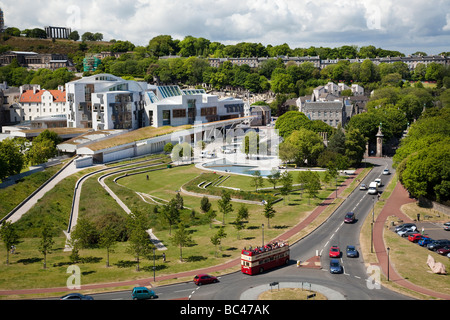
x=356 y=283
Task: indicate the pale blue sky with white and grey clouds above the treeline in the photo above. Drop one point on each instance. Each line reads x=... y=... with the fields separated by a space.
x=407 y=26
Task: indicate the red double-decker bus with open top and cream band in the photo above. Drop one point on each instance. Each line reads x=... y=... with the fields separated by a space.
x=260 y=259
